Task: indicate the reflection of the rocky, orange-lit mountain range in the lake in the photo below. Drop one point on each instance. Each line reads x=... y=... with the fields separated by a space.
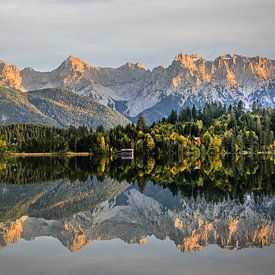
x=133 y=216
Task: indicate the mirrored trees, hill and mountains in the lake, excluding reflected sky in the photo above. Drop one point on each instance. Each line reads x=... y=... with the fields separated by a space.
x=80 y=200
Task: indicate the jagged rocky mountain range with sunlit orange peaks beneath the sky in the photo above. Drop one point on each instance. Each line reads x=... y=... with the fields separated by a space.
x=131 y=89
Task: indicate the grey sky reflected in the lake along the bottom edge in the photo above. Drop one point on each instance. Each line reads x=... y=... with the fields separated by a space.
x=48 y=256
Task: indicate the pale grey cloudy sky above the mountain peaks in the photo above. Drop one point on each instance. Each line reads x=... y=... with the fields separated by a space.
x=42 y=33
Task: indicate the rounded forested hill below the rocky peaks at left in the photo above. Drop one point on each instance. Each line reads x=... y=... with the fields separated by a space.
x=56 y=107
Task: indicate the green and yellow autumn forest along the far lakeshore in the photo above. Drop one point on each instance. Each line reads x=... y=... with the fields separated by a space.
x=214 y=129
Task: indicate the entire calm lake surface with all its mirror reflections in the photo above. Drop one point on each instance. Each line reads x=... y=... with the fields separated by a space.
x=149 y=216
